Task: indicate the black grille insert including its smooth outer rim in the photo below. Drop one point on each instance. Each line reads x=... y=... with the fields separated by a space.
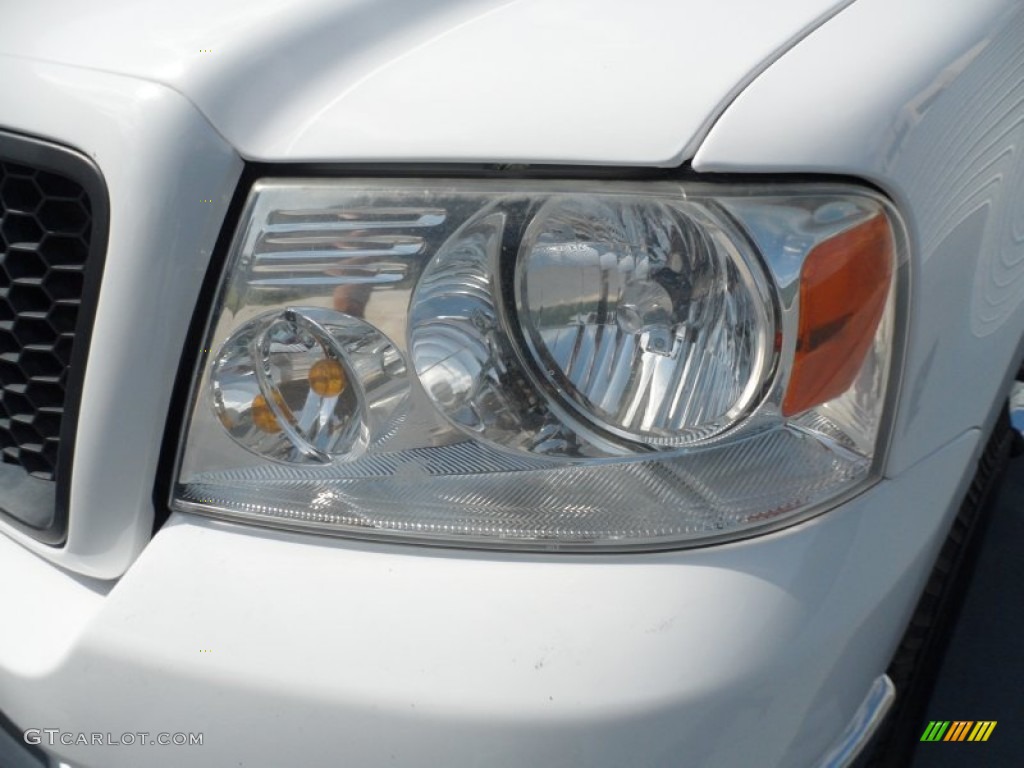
x=54 y=224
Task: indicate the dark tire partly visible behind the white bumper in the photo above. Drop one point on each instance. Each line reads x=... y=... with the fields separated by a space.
x=917 y=663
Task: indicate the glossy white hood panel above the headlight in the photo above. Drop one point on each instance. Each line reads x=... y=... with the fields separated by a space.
x=574 y=81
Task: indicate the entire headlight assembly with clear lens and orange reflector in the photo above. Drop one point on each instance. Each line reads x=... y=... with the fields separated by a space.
x=564 y=365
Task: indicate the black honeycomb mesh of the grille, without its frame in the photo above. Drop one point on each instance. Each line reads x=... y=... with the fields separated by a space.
x=46 y=226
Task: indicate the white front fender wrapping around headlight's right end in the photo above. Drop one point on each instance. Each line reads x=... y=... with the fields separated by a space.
x=936 y=118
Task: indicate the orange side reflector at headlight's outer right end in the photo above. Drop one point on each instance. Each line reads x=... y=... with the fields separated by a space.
x=844 y=286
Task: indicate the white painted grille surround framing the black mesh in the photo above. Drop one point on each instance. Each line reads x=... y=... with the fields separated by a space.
x=161 y=160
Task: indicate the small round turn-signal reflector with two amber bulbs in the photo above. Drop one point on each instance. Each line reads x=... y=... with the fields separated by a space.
x=308 y=386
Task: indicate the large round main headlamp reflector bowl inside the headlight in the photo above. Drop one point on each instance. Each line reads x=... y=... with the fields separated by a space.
x=646 y=315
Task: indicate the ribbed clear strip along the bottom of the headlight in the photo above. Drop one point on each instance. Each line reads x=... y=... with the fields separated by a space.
x=467 y=493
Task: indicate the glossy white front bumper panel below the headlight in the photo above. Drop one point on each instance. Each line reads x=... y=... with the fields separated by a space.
x=755 y=654
